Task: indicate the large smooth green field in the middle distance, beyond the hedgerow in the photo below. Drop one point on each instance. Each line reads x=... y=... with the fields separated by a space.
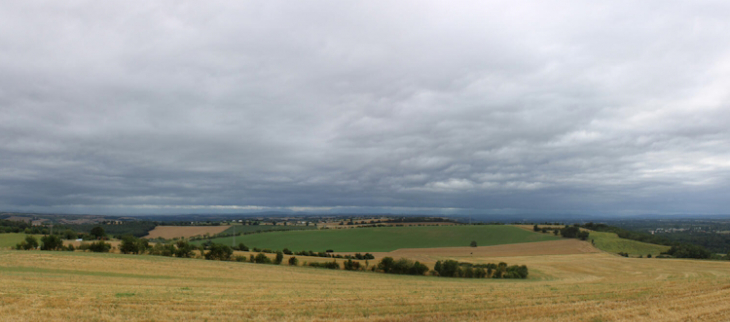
x=388 y=238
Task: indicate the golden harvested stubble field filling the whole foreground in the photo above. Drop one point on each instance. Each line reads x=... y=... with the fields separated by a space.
x=65 y=286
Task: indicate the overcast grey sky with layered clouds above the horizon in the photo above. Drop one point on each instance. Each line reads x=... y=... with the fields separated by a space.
x=434 y=107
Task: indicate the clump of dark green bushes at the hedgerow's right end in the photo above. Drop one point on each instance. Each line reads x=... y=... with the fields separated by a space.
x=451 y=268
